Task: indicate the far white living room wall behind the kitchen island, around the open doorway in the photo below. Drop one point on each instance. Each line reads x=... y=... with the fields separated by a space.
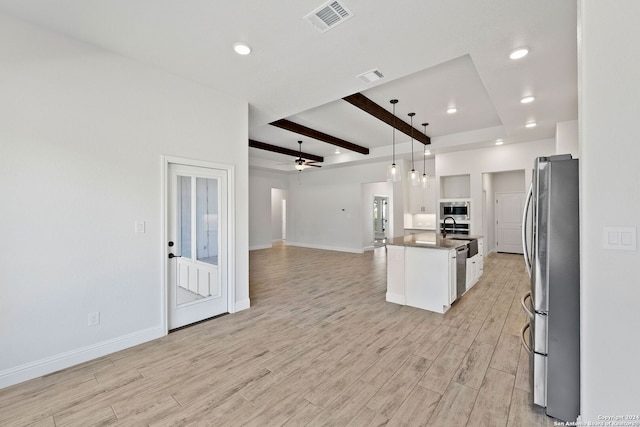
x=325 y=206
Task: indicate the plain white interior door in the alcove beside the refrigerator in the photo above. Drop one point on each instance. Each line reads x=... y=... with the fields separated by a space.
x=509 y=208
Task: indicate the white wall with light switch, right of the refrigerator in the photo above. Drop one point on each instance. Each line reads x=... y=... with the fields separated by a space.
x=609 y=102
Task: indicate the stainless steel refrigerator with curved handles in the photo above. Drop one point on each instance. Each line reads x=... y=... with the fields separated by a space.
x=551 y=241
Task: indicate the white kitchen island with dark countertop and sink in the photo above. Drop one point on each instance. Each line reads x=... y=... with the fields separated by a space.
x=421 y=270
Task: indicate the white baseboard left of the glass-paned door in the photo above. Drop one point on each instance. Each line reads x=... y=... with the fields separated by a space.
x=60 y=361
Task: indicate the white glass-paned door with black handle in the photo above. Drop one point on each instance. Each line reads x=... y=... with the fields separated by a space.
x=197 y=243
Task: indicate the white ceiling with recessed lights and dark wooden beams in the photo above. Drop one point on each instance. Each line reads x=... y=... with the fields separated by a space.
x=433 y=54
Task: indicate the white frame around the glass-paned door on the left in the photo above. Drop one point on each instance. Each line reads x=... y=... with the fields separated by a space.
x=231 y=207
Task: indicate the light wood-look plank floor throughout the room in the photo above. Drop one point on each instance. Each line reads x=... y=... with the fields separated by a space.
x=319 y=346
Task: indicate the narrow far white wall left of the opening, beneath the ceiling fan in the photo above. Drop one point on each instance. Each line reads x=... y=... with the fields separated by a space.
x=260 y=222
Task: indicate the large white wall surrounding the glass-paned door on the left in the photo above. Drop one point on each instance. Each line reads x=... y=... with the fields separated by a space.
x=82 y=132
